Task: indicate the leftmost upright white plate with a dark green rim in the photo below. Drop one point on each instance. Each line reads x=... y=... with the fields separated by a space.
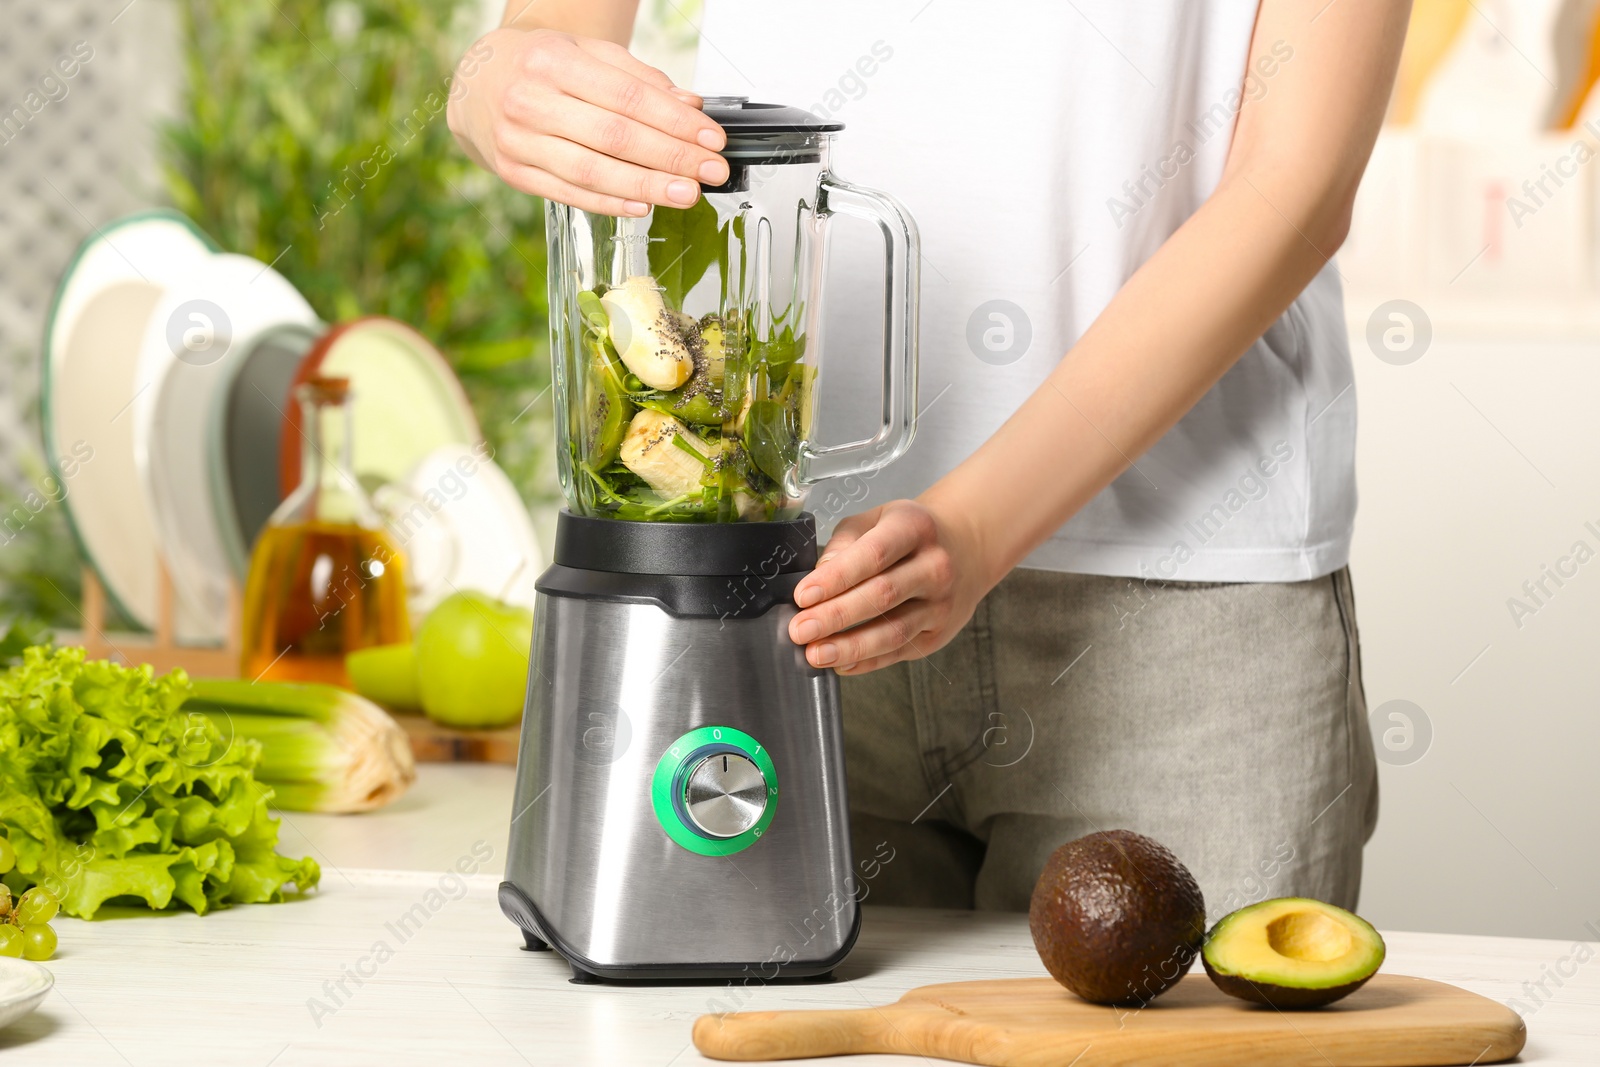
x=89 y=385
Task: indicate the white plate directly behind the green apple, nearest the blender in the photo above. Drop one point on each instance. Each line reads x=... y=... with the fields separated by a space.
x=462 y=526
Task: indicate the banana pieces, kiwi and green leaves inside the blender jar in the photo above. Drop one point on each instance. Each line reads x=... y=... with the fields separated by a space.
x=684 y=420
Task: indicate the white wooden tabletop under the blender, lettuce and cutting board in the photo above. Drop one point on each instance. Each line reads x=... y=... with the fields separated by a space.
x=260 y=985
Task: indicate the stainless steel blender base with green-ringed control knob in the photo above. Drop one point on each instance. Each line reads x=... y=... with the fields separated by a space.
x=609 y=866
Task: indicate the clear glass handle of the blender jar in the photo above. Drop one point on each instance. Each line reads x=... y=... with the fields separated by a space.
x=903 y=255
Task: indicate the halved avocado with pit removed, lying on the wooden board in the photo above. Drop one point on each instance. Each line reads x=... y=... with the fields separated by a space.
x=1292 y=953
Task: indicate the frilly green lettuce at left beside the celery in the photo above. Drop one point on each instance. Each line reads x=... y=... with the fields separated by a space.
x=110 y=793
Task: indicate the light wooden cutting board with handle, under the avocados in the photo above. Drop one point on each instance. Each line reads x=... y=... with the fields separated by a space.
x=1393 y=1021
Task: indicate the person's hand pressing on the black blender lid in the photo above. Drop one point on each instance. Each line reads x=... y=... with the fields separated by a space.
x=583 y=122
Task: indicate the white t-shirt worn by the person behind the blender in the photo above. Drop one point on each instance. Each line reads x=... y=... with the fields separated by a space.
x=1047 y=151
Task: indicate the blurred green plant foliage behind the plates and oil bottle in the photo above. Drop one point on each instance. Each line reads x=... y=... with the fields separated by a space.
x=313 y=135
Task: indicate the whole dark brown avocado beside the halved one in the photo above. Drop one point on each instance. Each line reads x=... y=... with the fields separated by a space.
x=1116 y=917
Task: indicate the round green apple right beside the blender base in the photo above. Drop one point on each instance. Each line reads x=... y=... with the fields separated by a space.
x=473 y=661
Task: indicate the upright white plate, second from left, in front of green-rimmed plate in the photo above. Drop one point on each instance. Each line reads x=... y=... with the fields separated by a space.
x=207 y=322
